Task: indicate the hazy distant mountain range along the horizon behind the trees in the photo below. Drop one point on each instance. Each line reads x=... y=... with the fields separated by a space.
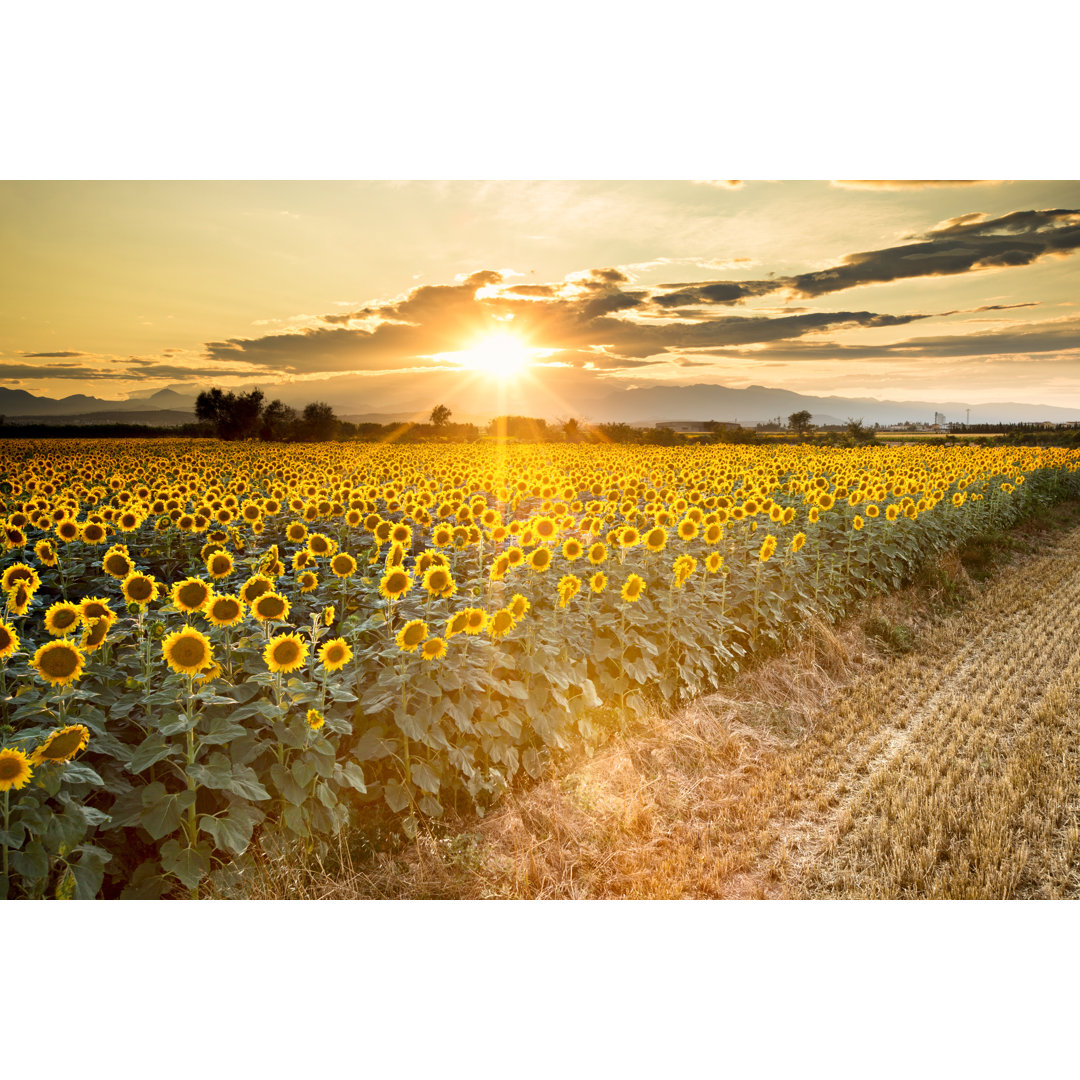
x=643 y=406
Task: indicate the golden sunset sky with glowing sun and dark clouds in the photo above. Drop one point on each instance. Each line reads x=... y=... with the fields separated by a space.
x=385 y=296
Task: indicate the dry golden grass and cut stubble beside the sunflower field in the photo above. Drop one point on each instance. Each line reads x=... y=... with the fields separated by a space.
x=836 y=769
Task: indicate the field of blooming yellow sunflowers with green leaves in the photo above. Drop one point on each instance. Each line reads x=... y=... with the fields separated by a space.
x=212 y=653
